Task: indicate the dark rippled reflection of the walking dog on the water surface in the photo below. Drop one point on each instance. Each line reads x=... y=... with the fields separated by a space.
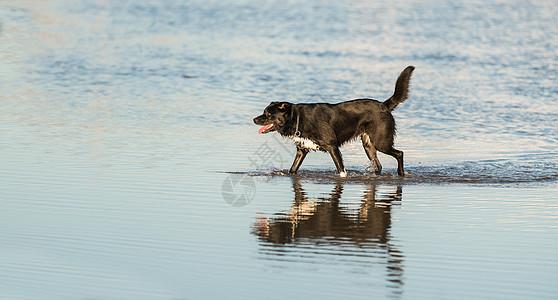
x=332 y=221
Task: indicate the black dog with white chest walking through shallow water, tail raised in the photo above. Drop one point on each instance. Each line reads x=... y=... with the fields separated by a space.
x=326 y=127
